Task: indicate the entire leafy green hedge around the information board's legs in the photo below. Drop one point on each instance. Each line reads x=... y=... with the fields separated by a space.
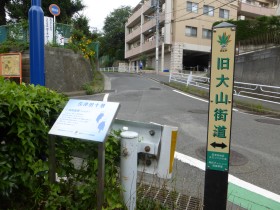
x=26 y=115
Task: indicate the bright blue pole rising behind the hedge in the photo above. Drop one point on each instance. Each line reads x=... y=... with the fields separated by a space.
x=36 y=36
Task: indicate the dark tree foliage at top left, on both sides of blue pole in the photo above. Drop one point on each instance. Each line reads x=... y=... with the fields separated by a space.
x=18 y=9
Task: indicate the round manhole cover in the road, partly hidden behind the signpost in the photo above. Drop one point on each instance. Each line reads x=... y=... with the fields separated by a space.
x=236 y=159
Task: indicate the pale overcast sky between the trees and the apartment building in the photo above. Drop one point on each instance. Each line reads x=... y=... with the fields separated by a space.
x=96 y=11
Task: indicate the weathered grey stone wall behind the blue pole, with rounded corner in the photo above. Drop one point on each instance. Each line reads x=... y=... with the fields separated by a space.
x=65 y=71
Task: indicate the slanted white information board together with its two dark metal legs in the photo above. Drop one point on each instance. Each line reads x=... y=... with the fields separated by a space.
x=88 y=120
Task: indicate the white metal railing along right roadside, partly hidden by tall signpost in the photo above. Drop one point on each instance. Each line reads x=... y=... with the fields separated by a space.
x=267 y=93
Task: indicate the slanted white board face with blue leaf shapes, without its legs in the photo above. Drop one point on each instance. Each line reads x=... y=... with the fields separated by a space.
x=85 y=119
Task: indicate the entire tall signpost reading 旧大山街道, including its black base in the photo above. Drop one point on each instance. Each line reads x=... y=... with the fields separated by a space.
x=220 y=116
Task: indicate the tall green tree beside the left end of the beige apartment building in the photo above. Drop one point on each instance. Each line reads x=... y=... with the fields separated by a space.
x=113 y=40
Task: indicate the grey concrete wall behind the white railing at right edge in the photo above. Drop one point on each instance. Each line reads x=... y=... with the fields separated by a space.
x=261 y=67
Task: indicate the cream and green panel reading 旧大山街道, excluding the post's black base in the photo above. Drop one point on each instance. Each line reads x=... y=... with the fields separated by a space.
x=221 y=95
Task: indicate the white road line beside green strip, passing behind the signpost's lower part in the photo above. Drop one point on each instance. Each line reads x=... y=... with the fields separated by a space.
x=232 y=179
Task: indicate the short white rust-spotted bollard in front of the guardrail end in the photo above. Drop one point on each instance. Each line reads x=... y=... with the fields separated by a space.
x=129 y=142
